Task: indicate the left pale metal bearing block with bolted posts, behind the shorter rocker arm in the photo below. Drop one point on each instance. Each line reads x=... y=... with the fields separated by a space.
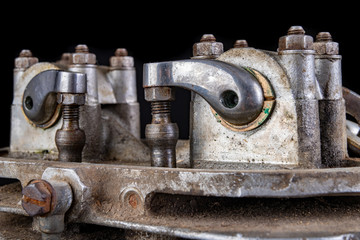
x=101 y=107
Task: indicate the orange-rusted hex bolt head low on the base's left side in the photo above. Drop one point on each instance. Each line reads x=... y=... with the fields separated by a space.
x=37 y=198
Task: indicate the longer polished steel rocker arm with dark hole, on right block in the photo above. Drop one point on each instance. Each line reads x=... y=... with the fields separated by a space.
x=232 y=92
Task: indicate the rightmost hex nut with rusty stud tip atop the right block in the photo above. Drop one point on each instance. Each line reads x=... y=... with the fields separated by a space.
x=324 y=44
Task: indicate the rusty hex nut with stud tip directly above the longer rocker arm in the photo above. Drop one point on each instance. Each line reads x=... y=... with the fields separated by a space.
x=208 y=47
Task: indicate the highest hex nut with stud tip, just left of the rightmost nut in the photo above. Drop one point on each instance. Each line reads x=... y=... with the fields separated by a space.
x=296 y=40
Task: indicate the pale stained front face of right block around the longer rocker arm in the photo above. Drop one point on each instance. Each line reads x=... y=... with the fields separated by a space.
x=273 y=143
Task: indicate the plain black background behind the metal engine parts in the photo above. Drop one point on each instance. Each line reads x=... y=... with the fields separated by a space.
x=162 y=32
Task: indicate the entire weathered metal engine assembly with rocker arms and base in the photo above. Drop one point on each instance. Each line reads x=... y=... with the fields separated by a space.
x=271 y=153
